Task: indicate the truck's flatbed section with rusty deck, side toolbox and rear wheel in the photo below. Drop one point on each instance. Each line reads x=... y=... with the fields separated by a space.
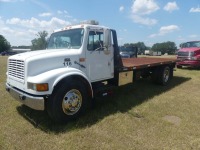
x=160 y=70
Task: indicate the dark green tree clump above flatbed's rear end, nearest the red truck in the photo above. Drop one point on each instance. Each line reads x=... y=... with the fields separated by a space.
x=165 y=47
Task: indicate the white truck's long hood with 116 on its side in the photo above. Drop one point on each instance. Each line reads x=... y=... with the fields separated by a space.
x=37 y=62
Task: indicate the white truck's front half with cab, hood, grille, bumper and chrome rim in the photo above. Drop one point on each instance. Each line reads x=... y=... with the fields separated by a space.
x=79 y=53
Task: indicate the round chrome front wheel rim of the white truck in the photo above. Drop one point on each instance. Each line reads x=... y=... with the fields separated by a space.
x=72 y=102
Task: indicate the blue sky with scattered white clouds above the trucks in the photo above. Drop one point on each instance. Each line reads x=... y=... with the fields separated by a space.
x=148 y=21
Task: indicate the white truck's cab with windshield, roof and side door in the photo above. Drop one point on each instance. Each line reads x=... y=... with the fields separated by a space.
x=87 y=42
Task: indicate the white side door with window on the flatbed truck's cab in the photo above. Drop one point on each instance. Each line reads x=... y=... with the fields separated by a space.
x=99 y=63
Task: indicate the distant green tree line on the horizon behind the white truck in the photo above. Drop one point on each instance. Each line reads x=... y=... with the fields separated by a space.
x=40 y=42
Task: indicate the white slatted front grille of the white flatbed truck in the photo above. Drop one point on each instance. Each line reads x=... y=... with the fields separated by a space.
x=16 y=68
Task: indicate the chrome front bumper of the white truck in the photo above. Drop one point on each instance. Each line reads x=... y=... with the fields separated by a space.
x=34 y=102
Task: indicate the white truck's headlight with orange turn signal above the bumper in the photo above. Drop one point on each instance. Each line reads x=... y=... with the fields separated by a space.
x=40 y=87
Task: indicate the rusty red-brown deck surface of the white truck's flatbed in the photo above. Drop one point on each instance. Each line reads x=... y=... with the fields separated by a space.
x=144 y=62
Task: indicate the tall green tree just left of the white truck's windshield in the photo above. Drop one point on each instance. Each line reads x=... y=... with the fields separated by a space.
x=40 y=42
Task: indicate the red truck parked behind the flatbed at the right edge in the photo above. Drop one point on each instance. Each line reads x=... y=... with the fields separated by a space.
x=189 y=54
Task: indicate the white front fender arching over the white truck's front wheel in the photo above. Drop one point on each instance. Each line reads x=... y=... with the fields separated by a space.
x=53 y=77
